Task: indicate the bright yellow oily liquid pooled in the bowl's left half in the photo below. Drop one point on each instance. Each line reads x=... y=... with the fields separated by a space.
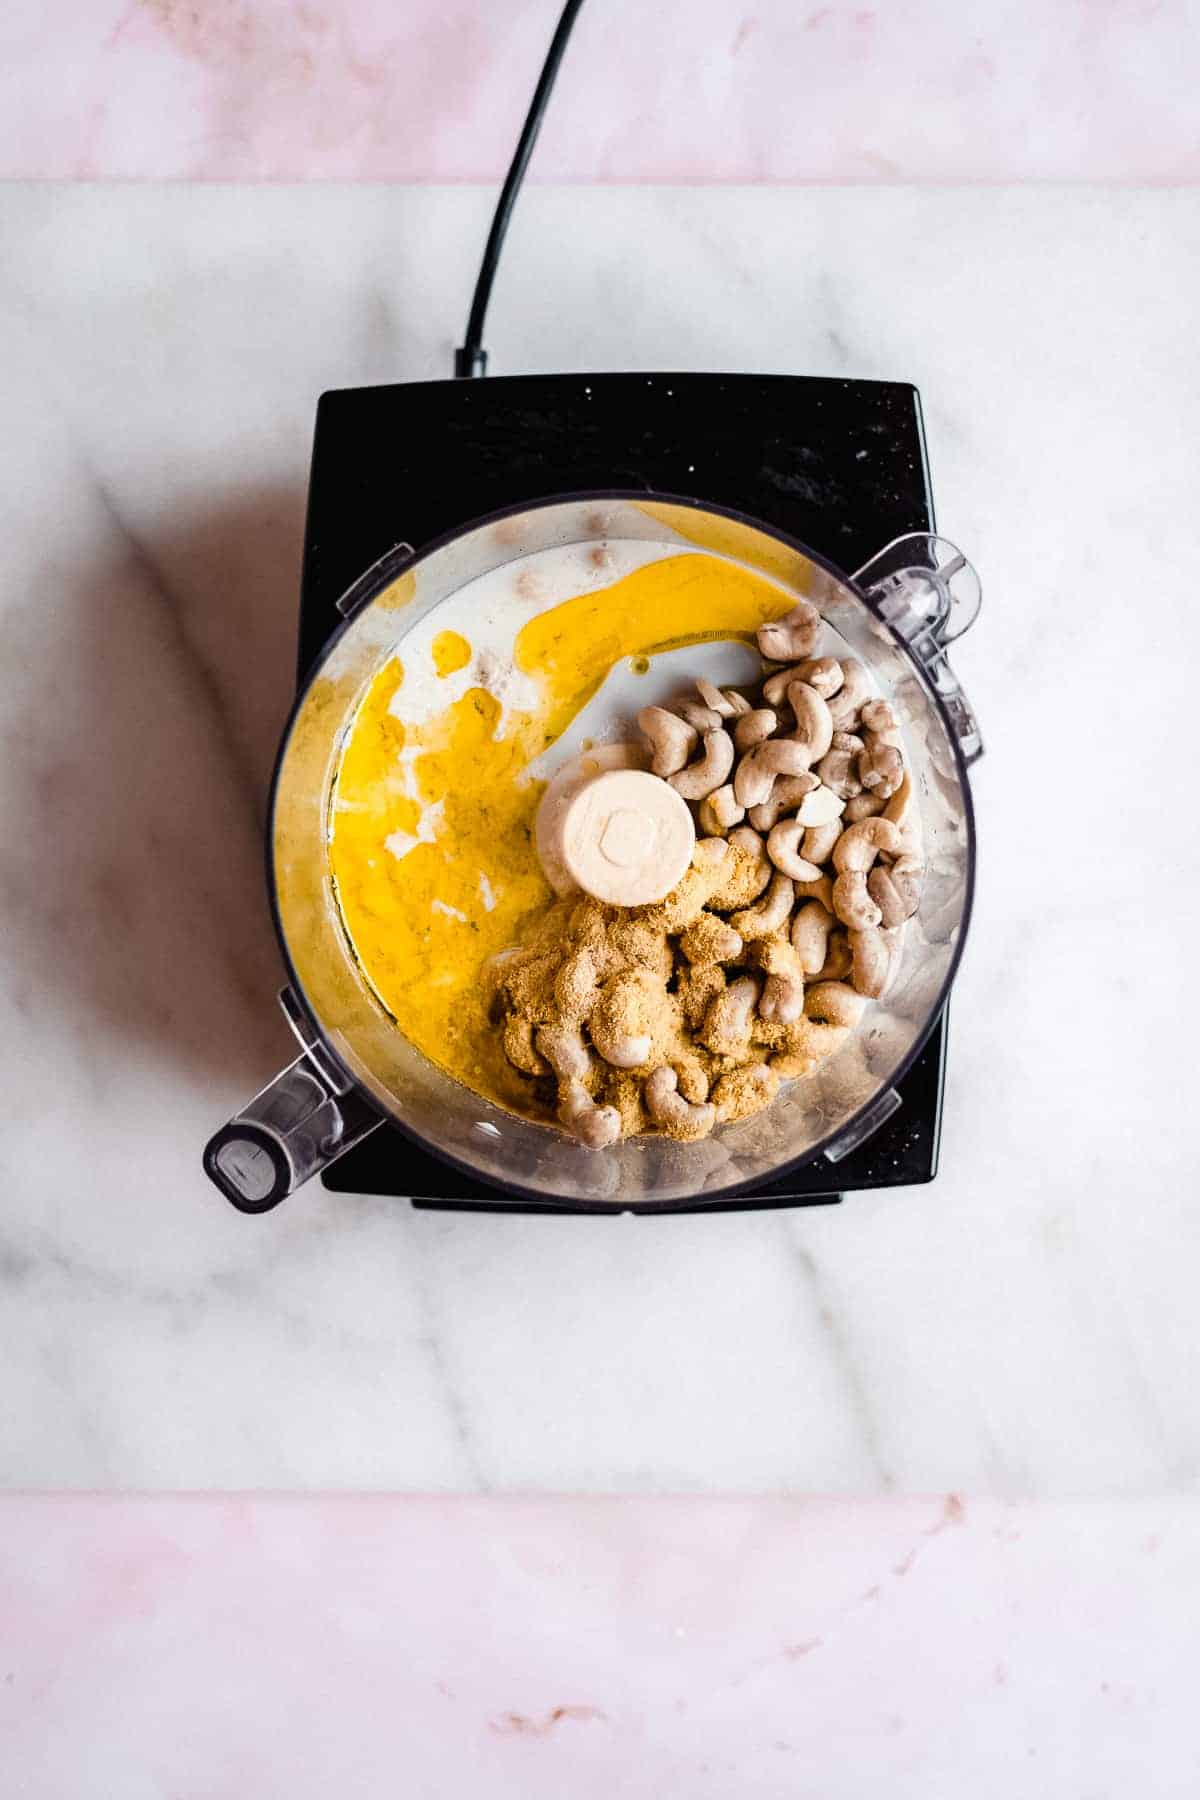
x=433 y=850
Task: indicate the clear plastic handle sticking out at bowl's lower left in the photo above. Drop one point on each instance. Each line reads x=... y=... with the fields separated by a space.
x=300 y=1124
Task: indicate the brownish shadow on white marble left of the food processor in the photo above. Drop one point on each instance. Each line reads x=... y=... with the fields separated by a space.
x=159 y=687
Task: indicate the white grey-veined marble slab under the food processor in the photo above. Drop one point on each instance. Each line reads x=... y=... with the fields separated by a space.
x=1025 y=1327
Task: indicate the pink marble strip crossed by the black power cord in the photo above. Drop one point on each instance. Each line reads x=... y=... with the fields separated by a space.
x=683 y=91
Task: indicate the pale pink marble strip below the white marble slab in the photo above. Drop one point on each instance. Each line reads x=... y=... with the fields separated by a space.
x=219 y=1650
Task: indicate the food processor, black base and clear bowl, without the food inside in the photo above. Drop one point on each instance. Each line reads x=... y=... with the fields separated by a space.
x=823 y=489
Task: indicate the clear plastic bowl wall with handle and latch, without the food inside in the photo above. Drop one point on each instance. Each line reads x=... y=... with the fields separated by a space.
x=897 y=613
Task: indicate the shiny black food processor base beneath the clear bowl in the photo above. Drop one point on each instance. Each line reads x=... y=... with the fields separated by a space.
x=839 y=465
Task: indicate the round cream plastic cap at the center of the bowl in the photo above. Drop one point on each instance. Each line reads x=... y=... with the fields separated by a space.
x=627 y=838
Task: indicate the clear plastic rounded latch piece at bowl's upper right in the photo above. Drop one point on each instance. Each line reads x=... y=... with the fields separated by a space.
x=929 y=593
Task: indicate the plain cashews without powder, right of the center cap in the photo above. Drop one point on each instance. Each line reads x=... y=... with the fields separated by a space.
x=814 y=775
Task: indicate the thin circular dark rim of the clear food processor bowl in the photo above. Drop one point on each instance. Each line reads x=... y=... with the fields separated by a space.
x=375 y=580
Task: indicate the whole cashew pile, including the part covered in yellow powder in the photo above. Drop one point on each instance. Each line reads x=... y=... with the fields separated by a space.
x=688 y=1014
